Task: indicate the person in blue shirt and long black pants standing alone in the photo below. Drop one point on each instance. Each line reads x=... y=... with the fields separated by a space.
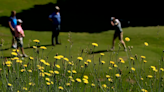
x=56 y=20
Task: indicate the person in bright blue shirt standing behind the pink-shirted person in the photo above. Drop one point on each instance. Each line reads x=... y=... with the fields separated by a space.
x=12 y=22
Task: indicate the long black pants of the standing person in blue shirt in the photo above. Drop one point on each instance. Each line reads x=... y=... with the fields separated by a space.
x=55 y=33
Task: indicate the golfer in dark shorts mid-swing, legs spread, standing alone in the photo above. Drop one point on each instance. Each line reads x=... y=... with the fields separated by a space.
x=118 y=32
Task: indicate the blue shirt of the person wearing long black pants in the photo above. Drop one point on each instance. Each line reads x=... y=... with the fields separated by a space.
x=55 y=18
